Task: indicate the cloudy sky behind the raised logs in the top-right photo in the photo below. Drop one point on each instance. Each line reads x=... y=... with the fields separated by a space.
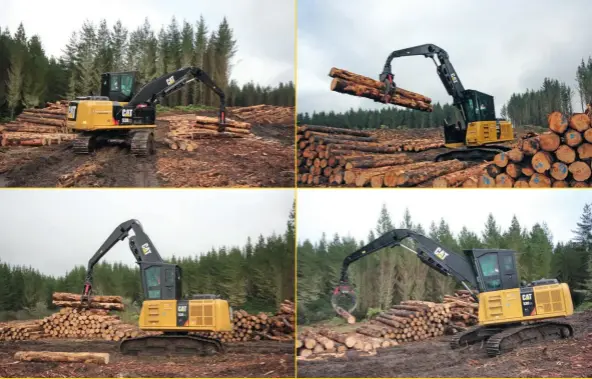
x=497 y=47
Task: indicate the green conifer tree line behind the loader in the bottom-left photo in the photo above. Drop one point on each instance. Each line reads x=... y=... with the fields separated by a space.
x=257 y=276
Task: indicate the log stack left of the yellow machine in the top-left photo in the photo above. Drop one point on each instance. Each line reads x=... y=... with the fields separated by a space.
x=38 y=127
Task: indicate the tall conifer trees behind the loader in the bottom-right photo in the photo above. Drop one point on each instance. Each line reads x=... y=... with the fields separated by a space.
x=395 y=274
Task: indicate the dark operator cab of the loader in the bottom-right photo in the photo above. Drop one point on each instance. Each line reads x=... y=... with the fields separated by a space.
x=495 y=269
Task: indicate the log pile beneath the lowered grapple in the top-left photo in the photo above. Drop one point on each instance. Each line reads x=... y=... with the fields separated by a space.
x=185 y=129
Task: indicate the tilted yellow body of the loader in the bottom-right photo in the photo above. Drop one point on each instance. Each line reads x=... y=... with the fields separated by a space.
x=525 y=304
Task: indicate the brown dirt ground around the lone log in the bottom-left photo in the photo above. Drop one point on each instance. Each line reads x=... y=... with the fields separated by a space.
x=249 y=359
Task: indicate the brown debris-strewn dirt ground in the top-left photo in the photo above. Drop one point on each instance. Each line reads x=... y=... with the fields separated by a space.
x=265 y=160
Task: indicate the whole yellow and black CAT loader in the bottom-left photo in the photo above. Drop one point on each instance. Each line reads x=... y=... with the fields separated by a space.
x=163 y=308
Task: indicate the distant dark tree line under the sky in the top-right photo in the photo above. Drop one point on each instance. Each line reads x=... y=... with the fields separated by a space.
x=528 y=108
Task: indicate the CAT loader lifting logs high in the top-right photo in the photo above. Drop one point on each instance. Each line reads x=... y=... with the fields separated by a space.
x=476 y=135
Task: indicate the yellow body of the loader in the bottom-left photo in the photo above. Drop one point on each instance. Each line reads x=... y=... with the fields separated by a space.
x=211 y=315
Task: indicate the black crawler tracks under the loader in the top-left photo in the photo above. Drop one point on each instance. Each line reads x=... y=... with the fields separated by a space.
x=139 y=141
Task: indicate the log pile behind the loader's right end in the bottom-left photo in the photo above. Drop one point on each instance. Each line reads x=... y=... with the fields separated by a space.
x=247 y=327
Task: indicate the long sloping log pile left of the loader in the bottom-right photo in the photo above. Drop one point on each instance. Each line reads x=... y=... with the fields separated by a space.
x=411 y=320
